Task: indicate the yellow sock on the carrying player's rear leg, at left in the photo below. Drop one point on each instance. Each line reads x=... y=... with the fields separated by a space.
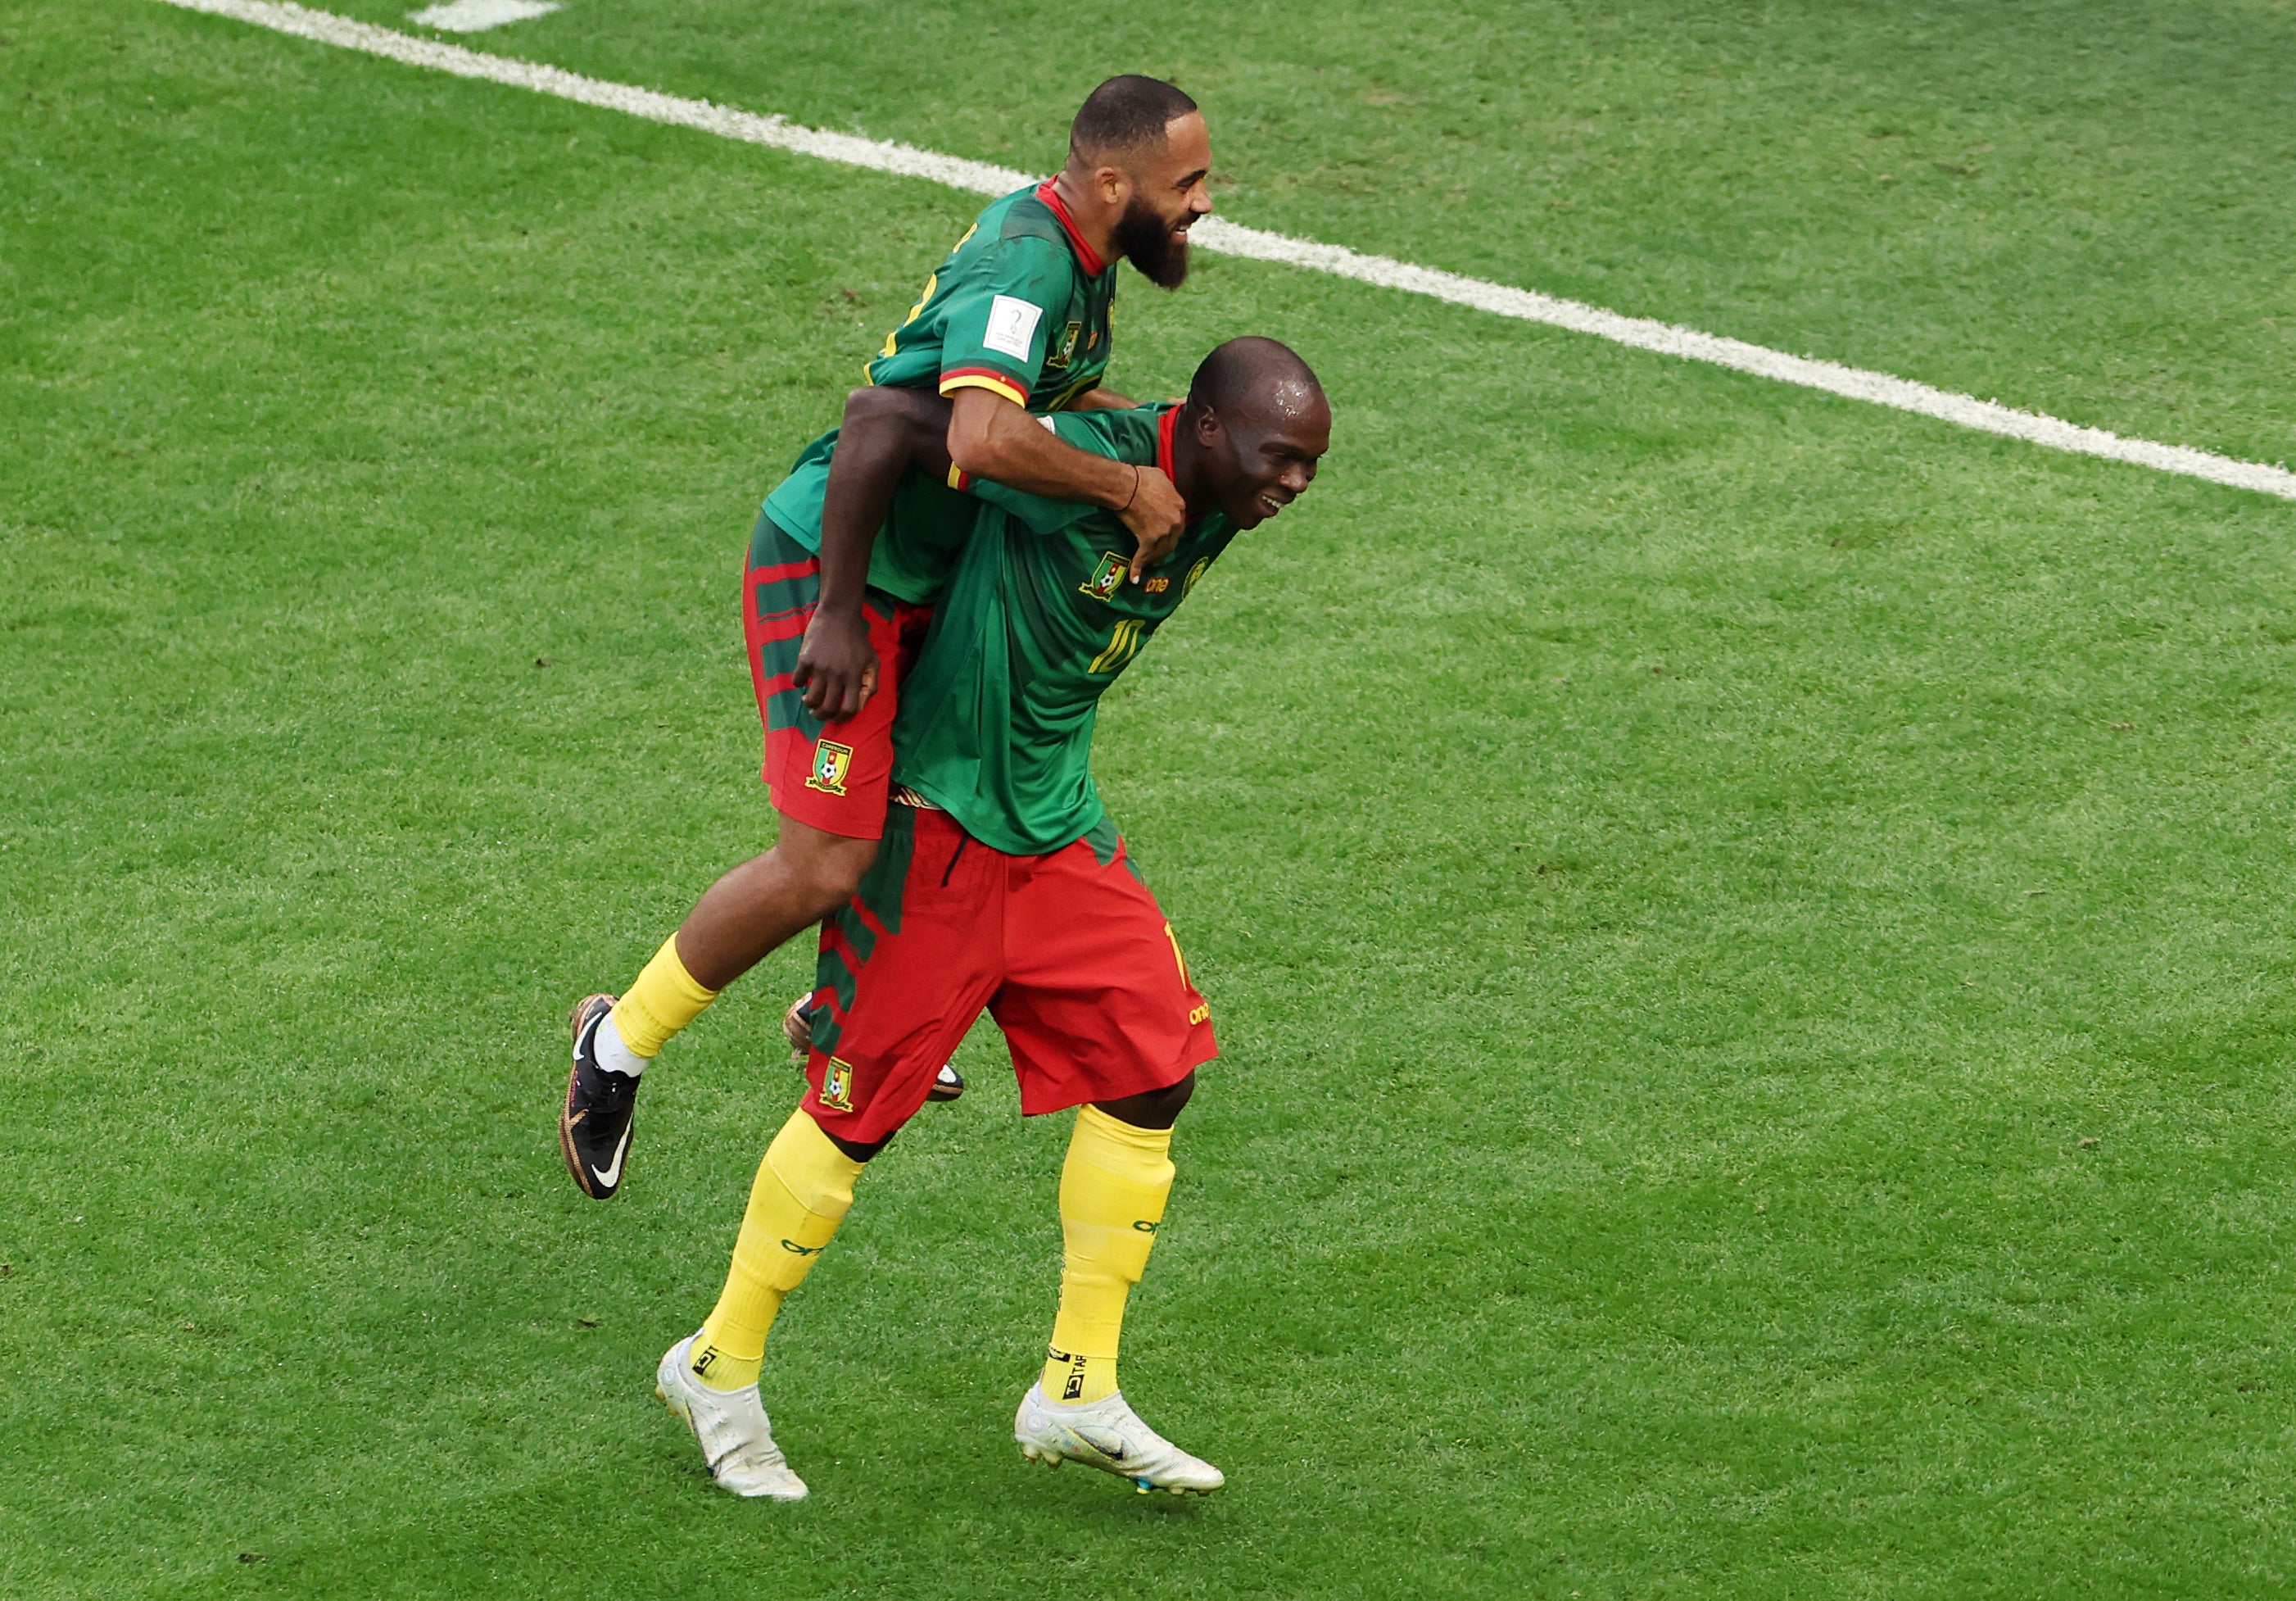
x=802 y=1191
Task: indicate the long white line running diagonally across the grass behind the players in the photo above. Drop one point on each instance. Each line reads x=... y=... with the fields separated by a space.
x=1879 y=389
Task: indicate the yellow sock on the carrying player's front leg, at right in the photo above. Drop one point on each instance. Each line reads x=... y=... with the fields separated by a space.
x=1112 y=1200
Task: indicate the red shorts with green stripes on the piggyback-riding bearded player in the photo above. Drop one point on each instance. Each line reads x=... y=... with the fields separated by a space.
x=835 y=778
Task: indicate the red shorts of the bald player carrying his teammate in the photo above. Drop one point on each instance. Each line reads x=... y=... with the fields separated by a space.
x=1069 y=952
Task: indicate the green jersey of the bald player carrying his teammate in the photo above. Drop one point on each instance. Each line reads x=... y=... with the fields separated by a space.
x=1039 y=619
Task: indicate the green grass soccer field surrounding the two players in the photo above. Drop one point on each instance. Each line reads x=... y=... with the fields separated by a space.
x=1748 y=931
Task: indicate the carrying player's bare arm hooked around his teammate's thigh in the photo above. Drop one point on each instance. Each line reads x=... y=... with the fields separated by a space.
x=885 y=435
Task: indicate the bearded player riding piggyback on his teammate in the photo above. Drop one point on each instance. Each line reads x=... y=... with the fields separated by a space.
x=1016 y=323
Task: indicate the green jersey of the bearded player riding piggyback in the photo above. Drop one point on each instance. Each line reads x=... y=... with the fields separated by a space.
x=1021 y=309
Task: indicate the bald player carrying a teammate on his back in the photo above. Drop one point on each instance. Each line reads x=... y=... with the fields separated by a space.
x=1002 y=885
